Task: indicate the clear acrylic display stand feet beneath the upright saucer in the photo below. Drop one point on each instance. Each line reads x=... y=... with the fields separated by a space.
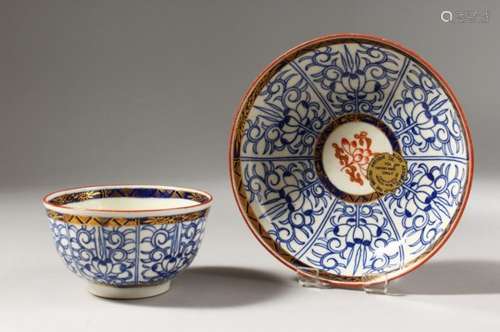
x=372 y=283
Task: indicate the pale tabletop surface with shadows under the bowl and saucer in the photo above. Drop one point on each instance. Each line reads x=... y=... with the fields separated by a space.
x=235 y=285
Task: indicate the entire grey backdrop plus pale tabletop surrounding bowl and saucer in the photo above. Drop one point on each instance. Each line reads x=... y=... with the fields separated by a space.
x=144 y=92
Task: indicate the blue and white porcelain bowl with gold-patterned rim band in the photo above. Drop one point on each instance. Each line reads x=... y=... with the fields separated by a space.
x=127 y=241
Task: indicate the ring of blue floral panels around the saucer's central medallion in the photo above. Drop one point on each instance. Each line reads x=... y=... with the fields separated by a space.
x=280 y=181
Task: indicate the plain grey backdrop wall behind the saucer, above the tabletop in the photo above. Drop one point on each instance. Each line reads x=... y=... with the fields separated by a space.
x=144 y=91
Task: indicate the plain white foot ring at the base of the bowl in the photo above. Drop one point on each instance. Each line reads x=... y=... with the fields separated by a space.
x=139 y=292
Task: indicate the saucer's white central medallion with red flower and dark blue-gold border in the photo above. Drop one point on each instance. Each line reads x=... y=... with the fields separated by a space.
x=344 y=154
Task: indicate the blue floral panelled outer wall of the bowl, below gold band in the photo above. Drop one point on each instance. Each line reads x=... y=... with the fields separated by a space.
x=126 y=256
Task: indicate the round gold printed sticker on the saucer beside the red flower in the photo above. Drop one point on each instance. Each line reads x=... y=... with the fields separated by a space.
x=386 y=172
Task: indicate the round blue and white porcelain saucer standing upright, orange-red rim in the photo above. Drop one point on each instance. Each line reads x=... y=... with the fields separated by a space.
x=351 y=155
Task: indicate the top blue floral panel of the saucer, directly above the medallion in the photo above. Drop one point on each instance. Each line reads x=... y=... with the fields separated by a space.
x=352 y=77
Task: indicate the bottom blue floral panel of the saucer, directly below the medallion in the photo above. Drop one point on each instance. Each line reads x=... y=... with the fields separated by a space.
x=359 y=238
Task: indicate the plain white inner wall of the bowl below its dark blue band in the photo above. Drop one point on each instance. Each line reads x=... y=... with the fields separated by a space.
x=132 y=203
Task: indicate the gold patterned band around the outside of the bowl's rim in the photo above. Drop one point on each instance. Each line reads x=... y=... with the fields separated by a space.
x=113 y=222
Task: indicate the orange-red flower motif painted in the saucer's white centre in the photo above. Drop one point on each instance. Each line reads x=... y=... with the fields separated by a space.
x=354 y=156
